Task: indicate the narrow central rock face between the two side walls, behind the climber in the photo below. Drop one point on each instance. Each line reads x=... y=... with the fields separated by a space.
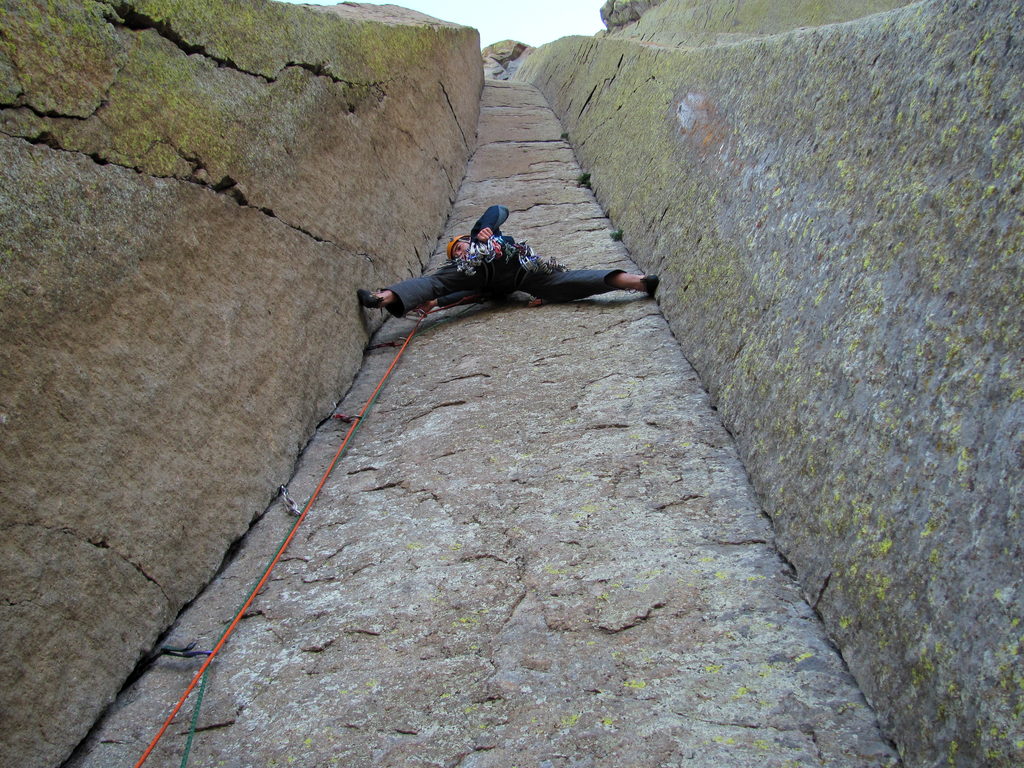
x=542 y=550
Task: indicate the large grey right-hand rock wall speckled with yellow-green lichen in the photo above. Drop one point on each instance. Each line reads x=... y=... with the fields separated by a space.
x=837 y=217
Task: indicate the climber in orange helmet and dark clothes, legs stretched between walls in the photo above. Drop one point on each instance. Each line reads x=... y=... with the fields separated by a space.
x=488 y=263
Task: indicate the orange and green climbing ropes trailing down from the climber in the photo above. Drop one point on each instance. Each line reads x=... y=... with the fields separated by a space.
x=189 y=652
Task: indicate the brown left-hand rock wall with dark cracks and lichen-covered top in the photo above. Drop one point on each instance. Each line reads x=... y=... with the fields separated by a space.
x=190 y=194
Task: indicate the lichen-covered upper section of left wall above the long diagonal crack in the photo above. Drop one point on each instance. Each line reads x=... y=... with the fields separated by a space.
x=284 y=117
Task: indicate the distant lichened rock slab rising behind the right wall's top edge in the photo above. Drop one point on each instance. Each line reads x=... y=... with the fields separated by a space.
x=689 y=23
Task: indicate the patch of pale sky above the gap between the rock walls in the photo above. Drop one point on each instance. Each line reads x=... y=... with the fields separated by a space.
x=531 y=22
